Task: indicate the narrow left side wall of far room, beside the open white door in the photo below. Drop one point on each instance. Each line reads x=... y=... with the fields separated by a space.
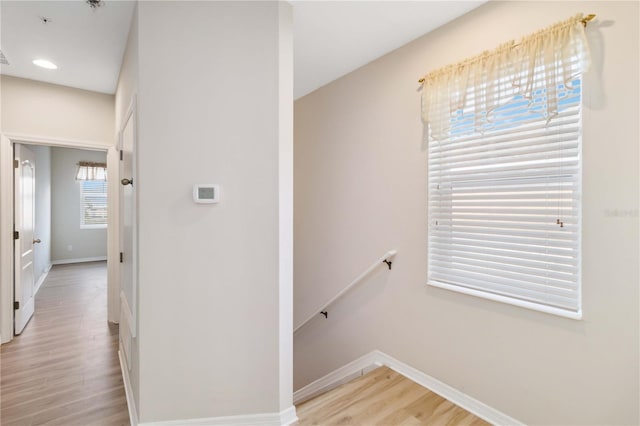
x=42 y=251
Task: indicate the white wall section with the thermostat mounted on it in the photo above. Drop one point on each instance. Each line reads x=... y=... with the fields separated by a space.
x=211 y=340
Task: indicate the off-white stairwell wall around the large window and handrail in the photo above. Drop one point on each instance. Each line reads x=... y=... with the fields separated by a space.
x=360 y=190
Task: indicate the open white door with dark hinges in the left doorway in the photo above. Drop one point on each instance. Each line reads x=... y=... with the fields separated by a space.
x=24 y=224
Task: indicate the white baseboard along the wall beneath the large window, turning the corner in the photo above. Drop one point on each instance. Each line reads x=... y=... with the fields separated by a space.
x=378 y=358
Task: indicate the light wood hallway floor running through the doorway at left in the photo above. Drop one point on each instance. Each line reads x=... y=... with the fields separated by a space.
x=64 y=368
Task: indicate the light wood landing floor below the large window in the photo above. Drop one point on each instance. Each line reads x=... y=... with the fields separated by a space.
x=382 y=397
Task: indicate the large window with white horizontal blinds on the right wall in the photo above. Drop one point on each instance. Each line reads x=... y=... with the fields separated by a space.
x=504 y=186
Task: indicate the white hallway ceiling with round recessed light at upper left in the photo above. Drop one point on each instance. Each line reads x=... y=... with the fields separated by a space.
x=87 y=44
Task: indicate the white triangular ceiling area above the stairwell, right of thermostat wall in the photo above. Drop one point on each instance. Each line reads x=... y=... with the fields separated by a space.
x=333 y=38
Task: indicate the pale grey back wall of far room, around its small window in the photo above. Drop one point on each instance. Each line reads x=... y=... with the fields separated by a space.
x=69 y=241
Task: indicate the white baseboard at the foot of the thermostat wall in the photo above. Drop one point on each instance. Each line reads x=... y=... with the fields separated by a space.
x=284 y=418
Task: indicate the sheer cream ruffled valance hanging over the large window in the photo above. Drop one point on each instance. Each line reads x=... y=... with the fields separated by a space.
x=544 y=60
